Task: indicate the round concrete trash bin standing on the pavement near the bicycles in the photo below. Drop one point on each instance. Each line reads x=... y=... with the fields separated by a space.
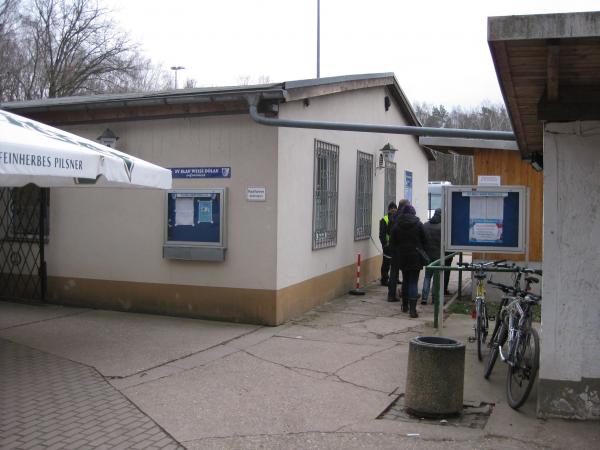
x=435 y=377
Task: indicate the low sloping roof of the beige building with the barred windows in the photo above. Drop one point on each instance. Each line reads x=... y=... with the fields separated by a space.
x=224 y=99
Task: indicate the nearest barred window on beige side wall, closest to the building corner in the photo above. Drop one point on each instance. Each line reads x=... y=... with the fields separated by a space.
x=325 y=195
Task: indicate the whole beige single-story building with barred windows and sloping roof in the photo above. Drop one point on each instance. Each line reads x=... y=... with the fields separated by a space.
x=263 y=222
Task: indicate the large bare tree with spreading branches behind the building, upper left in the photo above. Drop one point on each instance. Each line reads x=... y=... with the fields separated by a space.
x=74 y=48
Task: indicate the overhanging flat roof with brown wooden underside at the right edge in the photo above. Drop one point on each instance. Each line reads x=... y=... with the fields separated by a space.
x=548 y=67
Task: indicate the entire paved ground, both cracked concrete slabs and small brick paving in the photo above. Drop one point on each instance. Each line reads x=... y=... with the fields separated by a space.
x=78 y=378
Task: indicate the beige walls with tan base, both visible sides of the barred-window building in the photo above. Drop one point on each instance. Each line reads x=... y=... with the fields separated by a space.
x=105 y=246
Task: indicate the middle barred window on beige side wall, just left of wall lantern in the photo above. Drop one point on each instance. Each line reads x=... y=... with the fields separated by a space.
x=364 y=196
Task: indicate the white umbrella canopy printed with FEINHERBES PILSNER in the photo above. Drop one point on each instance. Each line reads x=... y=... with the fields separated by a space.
x=31 y=152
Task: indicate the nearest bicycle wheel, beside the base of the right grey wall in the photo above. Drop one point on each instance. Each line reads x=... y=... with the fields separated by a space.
x=521 y=377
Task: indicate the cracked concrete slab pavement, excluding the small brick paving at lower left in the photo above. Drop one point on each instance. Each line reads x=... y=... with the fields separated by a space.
x=320 y=381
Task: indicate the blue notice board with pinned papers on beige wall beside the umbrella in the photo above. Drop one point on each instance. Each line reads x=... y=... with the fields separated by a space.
x=195 y=217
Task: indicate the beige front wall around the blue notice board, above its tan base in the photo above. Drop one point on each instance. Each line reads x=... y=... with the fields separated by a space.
x=117 y=234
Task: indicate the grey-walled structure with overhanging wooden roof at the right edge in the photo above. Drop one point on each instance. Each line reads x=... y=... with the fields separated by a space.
x=548 y=67
